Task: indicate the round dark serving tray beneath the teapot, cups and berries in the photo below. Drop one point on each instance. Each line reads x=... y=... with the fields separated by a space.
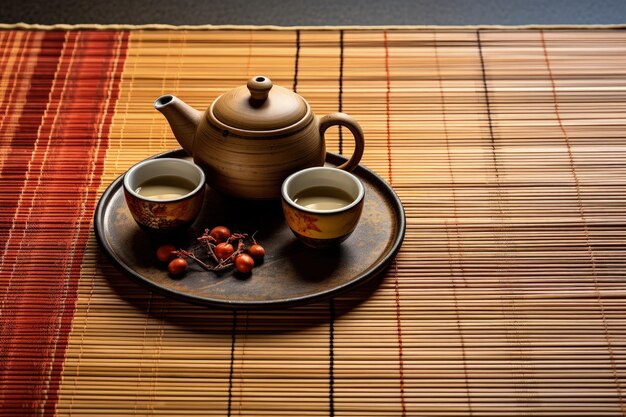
x=291 y=273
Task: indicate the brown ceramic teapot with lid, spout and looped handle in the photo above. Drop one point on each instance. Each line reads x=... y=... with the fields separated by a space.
x=253 y=137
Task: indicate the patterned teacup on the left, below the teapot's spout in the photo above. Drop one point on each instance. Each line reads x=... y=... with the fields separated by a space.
x=164 y=195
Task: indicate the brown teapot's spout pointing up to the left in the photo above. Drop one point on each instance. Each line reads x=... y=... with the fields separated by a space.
x=183 y=119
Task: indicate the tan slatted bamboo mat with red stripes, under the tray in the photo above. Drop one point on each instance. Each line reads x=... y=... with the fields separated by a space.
x=508 y=297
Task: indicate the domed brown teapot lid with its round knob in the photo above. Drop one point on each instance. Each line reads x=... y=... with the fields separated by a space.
x=259 y=106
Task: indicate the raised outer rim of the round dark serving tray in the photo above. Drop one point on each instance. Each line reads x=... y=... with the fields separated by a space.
x=375 y=270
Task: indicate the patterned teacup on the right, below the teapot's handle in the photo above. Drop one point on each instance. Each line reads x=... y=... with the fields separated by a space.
x=322 y=205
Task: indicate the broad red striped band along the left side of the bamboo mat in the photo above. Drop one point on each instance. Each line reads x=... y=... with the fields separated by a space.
x=58 y=148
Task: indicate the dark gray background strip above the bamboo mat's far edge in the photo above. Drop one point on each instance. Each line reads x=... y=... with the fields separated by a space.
x=316 y=12
